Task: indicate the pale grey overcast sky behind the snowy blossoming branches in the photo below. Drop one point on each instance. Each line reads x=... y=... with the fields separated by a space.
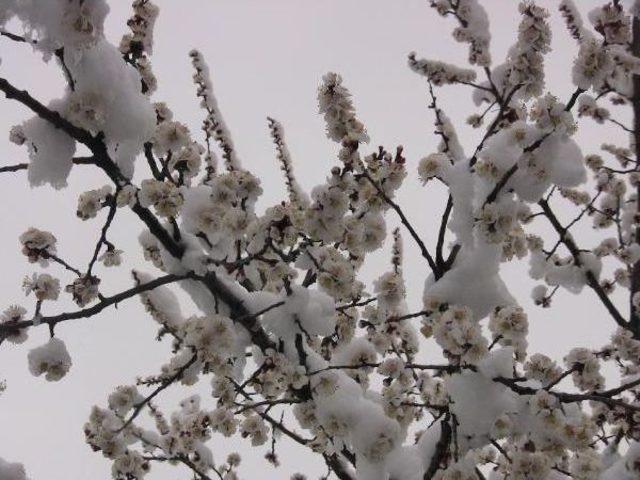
x=266 y=58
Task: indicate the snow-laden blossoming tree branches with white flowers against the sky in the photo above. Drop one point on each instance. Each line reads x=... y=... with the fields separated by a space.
x=283 y=337
